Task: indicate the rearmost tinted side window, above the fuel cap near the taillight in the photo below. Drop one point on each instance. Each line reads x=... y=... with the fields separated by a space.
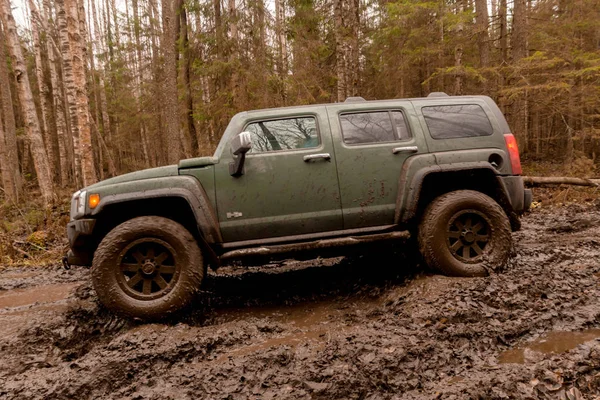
x=457 y=121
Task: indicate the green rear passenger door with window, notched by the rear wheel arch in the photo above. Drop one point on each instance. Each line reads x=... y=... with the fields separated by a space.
x=371 y=145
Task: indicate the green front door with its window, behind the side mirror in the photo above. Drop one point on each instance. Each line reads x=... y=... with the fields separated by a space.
x=289 y=186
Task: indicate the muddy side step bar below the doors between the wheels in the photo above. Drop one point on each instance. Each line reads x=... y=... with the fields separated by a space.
x=262 y=251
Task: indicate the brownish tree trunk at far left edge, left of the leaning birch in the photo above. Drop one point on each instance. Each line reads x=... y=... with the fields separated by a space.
x=10 y=132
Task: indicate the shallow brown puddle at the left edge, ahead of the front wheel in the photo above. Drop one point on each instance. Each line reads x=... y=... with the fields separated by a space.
x=36 y=295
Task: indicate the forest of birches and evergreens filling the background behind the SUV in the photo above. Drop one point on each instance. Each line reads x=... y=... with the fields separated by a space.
x=95 y=88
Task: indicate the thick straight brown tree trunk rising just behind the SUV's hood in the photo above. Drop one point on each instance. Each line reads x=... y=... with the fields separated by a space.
x=171 y=111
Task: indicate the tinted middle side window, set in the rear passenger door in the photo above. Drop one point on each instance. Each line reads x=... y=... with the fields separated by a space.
x=374 y=127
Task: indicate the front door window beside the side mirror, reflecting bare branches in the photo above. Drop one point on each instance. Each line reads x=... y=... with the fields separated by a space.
x=284 y=134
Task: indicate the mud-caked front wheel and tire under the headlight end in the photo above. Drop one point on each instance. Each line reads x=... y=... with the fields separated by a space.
x=175 y=274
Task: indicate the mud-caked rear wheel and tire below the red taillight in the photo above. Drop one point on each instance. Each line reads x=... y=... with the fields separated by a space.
x=448 y=249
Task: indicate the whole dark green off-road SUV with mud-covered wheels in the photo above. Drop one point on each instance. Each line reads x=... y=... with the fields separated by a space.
x=302 y=182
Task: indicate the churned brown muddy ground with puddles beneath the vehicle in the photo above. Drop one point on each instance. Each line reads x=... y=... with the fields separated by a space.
x=378 y=327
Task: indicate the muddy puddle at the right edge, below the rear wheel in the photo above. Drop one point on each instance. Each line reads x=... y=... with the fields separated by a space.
x=552 y=343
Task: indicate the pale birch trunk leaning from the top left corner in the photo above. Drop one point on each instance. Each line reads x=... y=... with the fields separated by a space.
x=32 y=123
